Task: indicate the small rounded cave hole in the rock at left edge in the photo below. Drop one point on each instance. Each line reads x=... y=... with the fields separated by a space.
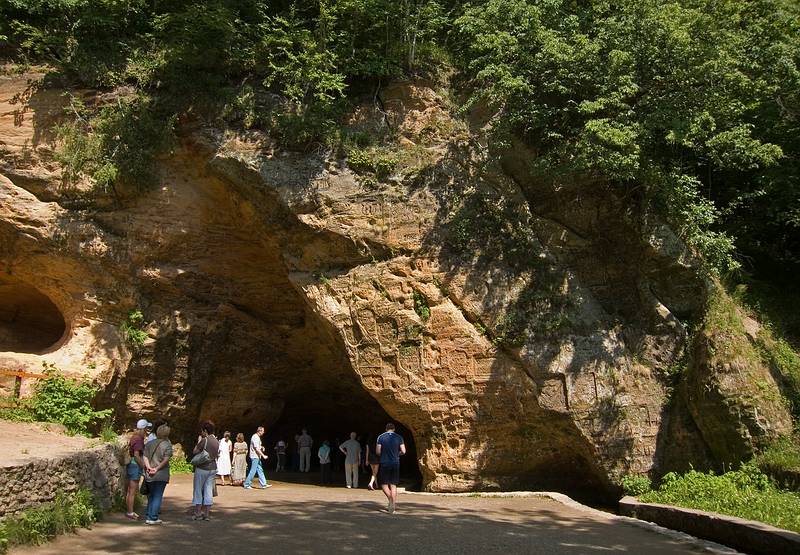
x=29 y=321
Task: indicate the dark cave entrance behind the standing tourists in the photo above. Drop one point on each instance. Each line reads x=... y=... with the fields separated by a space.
x=331 y=411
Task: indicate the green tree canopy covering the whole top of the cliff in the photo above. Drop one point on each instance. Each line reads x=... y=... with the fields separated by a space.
x=692 y=103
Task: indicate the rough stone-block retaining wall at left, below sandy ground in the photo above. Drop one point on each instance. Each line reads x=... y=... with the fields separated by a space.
x=97 y=469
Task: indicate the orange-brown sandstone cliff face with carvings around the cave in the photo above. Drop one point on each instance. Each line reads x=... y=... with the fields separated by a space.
x=520 y=344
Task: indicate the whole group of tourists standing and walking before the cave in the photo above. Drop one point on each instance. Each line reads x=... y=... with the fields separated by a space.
x=148 y=454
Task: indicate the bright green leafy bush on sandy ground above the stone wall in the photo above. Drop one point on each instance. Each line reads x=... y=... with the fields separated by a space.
x=66 y=401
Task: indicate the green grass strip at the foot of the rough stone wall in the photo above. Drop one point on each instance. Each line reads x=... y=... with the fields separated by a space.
x=41 y=524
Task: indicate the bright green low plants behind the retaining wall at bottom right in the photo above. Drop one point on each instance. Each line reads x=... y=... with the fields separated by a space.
x=745 y=493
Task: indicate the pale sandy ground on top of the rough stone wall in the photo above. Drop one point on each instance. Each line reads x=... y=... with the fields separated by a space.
x=21 y=443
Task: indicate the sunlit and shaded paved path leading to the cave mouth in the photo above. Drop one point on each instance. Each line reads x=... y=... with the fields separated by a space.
x=297 y=518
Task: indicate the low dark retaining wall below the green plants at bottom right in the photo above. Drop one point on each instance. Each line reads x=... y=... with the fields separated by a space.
x=745 y=535
